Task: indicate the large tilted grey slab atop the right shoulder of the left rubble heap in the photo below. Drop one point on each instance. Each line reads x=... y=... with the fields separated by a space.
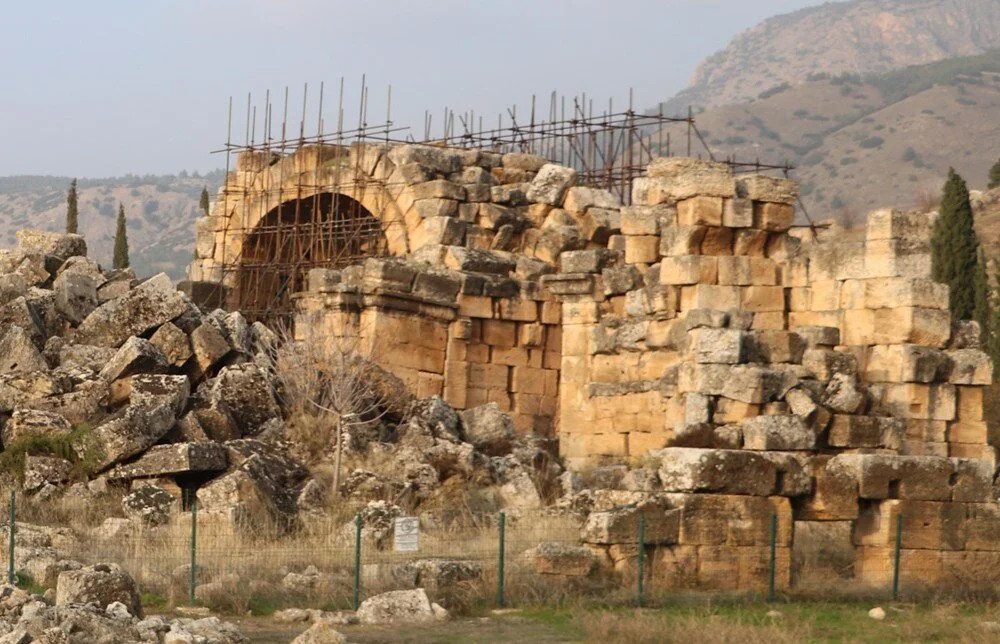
x=152 y=303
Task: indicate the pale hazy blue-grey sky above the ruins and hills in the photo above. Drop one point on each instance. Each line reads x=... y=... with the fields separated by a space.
x=104 y=87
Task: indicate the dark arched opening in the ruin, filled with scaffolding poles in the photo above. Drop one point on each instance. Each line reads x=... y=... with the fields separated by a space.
x=328 y=230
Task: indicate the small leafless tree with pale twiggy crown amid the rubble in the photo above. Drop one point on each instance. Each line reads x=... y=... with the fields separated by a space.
x=332 y=381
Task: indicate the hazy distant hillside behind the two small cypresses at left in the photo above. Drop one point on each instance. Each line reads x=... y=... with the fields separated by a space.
x=161 y=211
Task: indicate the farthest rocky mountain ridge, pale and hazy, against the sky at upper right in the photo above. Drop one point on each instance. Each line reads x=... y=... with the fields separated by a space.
x=857 y=37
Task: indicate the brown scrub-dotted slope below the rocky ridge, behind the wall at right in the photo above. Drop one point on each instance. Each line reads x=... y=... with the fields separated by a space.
x=863 y=142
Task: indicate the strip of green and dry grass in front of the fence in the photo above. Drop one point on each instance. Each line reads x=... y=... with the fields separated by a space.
x=735 y=622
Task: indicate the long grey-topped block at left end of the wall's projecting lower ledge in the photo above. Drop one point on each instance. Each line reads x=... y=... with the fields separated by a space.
x=690 y=469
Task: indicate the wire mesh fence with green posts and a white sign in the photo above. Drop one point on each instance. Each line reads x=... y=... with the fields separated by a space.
x=501 y=560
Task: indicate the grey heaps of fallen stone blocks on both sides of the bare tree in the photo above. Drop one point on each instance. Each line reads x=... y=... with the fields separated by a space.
x=127 y=382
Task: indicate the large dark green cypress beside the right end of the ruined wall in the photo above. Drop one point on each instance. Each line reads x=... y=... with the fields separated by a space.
x=954 y=247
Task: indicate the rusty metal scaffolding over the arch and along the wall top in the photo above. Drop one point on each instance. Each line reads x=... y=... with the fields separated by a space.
x=315 y=224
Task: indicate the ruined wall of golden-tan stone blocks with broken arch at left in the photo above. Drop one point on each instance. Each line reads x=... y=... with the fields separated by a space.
x=822 y=381
